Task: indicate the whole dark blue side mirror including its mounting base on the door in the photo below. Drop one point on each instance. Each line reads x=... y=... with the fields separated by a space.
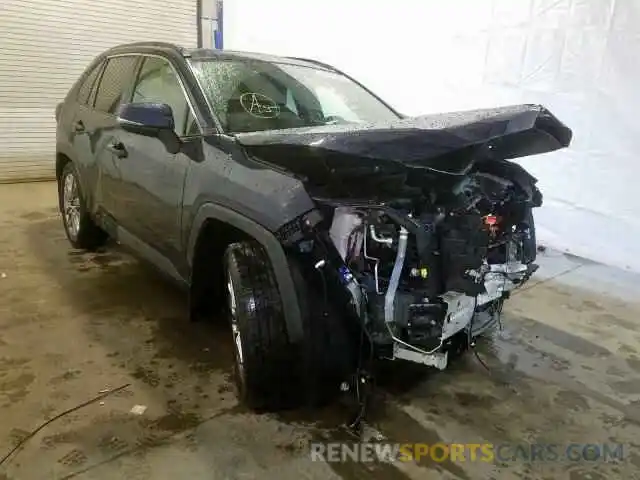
x=151 y=120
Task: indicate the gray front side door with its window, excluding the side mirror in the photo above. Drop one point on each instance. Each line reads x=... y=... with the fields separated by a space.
x=153 y=178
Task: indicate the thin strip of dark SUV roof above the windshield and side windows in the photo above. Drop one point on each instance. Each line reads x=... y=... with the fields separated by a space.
x=207 y=53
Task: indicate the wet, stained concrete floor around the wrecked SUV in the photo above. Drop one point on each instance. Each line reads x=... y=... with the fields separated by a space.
x=565 y=369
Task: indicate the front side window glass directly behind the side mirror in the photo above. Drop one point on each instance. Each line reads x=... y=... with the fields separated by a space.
x=158 y=83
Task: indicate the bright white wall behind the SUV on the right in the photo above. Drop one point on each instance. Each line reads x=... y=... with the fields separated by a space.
x=580 y=58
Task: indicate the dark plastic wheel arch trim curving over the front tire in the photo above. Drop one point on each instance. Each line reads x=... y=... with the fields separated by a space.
x=211 y=215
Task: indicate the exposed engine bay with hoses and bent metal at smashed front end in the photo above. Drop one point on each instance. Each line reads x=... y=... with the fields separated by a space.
x=421 y=273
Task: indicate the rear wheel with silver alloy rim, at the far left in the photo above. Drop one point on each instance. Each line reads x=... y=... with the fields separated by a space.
x=80 y=228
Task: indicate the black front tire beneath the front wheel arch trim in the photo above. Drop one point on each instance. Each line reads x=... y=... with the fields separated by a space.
x=265 y=360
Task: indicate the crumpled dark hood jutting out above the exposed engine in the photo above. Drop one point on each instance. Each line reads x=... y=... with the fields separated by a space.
x=449 y=142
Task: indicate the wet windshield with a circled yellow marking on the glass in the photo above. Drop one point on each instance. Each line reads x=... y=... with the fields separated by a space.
x=252 y=95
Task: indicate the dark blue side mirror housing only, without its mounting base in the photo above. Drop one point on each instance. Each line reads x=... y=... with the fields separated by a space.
x=146 y=118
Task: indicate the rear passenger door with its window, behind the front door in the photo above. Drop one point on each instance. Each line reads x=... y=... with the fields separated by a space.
x=114 y=86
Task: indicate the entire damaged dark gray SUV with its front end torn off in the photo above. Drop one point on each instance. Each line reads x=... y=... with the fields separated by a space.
x=332 y=231
